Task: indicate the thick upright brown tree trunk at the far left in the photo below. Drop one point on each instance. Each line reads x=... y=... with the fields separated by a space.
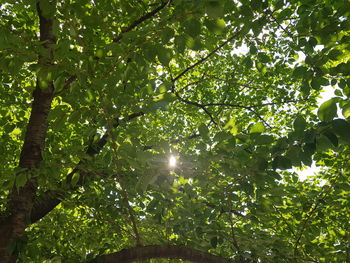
x=15 y=219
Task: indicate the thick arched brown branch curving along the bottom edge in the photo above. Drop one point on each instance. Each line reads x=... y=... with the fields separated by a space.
x=158 y=251
